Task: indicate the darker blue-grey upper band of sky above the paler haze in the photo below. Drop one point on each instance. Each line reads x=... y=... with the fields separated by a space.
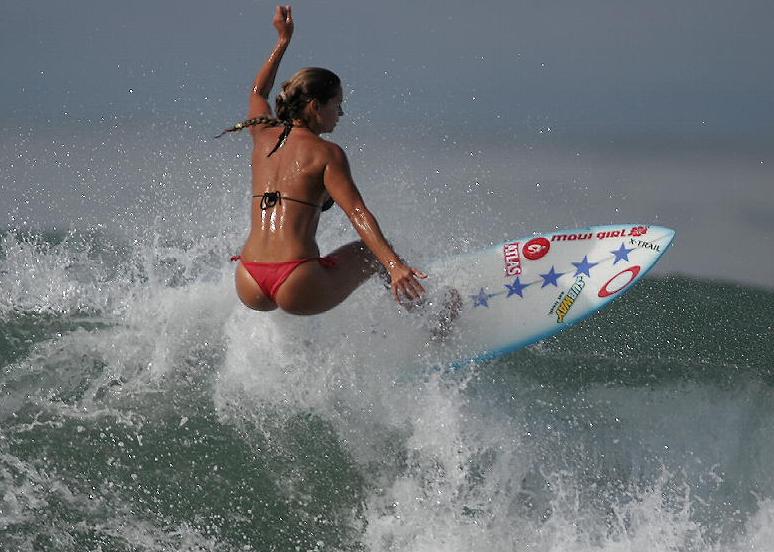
x=664 y=65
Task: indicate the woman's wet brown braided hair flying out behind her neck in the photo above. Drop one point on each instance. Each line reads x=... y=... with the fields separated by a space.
x=310 y=83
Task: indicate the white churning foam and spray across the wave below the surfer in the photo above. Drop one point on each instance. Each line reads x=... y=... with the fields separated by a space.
x=485 y=458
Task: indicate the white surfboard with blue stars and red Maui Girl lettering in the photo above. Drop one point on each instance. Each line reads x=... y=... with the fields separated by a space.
x=524 y=290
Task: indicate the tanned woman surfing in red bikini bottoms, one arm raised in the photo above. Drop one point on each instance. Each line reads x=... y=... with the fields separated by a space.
x=295 y=176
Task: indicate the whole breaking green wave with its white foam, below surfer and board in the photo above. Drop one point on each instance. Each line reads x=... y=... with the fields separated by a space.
x=144 y=409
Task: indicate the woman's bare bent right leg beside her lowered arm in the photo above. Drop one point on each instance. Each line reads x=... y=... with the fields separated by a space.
x=313 y=288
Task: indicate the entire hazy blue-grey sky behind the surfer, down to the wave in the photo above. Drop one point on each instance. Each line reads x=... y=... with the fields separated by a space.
x=659 y=111
